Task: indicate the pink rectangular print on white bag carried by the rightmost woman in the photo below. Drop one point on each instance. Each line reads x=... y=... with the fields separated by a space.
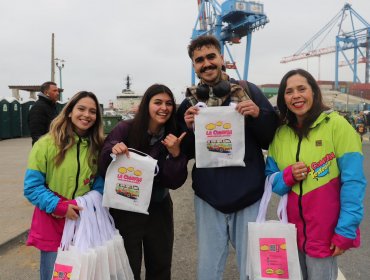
x=274 y=258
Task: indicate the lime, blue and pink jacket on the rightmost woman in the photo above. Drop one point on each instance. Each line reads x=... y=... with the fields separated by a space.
x=326 y=207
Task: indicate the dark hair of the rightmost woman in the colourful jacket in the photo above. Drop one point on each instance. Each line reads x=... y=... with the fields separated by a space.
x=318 y=106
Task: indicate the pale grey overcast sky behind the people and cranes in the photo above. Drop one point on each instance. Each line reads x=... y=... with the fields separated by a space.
x=103 y=41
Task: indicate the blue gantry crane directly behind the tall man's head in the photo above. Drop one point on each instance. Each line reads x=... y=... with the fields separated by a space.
x=229 y=22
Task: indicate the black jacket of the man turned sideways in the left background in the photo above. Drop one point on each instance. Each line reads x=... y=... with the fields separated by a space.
x=40 y=117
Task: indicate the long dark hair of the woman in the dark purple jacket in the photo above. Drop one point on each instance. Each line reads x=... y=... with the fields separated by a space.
x=138 y=137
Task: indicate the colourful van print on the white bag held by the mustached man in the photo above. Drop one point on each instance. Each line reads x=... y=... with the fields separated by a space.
x=218 y=137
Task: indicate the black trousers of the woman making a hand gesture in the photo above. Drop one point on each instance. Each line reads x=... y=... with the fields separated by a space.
x=152 y=235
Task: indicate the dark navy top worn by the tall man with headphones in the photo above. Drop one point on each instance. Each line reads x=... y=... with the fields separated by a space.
x=229 y=189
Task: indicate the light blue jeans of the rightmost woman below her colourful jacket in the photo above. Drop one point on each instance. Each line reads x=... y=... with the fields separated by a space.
x=318 y=268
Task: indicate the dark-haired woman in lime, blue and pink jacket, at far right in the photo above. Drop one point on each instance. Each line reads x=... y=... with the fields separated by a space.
x=318 y=159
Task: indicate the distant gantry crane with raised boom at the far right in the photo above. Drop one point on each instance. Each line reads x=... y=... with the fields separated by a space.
x=356 y=38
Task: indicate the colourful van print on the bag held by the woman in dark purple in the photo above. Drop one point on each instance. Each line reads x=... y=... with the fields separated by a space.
x=130 y=179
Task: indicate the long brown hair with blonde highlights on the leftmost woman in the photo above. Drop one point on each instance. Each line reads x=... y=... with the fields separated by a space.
x=61 y=129
